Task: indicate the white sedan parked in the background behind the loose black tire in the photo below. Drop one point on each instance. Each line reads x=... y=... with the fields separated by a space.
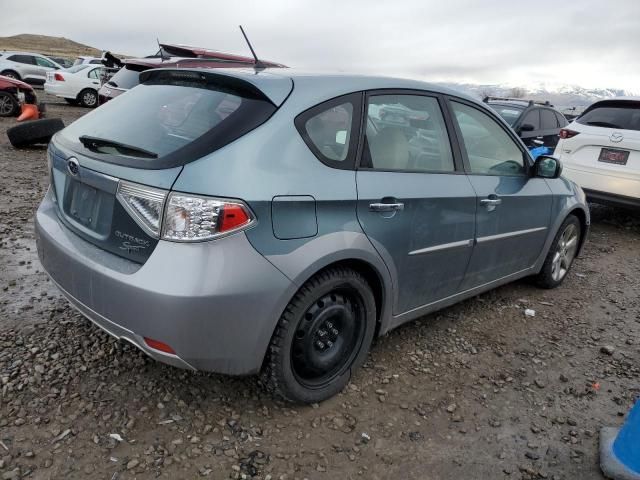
x=77 y=85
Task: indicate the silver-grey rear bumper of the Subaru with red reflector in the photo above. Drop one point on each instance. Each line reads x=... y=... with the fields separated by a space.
x=215 y=303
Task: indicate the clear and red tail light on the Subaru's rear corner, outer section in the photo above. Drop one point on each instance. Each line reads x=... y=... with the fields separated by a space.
x=193 y=218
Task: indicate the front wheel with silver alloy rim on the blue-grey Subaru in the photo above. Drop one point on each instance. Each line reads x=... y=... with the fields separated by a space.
x=561 y=255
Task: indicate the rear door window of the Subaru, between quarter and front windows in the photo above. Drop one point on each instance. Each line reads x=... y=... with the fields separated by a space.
x=407 y=133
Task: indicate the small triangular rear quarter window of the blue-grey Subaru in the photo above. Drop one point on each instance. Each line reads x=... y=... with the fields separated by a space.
x=330 y=131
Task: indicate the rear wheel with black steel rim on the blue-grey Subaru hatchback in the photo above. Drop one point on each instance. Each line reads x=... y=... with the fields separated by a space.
x=322 y=337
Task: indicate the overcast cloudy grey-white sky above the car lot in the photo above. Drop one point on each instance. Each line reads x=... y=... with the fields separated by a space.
x=591 y=43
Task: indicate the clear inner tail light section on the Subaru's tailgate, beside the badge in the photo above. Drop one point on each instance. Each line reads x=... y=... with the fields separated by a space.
x=144 y=204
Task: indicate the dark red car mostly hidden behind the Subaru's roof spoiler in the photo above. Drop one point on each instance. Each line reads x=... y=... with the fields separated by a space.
x=173 y=56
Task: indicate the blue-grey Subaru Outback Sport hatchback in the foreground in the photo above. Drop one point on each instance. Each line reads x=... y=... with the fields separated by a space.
x=276 y=222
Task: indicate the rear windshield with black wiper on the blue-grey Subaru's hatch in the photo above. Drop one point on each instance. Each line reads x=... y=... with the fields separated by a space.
x=168 y=123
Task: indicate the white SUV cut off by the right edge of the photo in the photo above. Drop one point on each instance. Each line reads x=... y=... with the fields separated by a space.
x=600 y=151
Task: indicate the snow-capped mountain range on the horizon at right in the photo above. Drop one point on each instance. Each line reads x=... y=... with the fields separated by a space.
x=562 y=96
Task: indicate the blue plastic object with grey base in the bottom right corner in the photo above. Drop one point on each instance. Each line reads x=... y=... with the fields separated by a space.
x=620 y=449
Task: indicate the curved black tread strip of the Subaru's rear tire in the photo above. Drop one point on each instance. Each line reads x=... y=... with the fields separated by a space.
x=271 y=376
